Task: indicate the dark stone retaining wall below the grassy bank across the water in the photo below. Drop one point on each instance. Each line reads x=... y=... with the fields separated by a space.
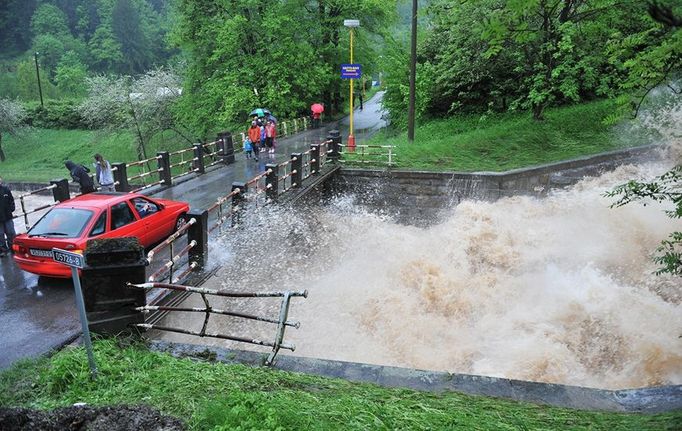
x=412 y=195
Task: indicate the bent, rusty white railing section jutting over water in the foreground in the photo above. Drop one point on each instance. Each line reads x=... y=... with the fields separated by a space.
x=282 y=321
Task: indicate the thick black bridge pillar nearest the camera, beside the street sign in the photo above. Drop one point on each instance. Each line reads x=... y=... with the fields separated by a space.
x=110 y=264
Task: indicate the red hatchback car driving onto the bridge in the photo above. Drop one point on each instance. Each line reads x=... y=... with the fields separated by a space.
x=70 y=224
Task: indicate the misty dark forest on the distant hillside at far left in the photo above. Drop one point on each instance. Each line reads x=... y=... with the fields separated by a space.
x=82 y=36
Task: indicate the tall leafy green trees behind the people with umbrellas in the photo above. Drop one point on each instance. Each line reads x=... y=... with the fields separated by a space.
x=279 y=55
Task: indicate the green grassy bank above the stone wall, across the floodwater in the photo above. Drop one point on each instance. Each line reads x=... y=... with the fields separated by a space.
x=499 y=143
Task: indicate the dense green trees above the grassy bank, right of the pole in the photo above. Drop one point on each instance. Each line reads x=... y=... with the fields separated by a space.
x=496 y=56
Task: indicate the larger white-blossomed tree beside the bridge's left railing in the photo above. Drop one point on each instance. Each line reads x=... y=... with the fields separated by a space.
x=142 y=106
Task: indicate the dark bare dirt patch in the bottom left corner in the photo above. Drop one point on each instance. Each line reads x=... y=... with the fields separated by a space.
x=82 y=418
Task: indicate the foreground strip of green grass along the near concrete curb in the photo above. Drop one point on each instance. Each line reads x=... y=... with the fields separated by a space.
x=212 y=396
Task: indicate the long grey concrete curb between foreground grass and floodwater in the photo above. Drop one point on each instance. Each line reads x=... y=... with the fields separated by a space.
x=642 y=400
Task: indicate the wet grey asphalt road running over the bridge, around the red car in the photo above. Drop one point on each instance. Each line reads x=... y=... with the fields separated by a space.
x=38 y=314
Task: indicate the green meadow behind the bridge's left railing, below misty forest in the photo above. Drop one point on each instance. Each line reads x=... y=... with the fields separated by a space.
x=38 y=155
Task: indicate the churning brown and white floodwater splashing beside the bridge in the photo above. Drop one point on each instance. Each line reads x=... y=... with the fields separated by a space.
x=559 y=289
